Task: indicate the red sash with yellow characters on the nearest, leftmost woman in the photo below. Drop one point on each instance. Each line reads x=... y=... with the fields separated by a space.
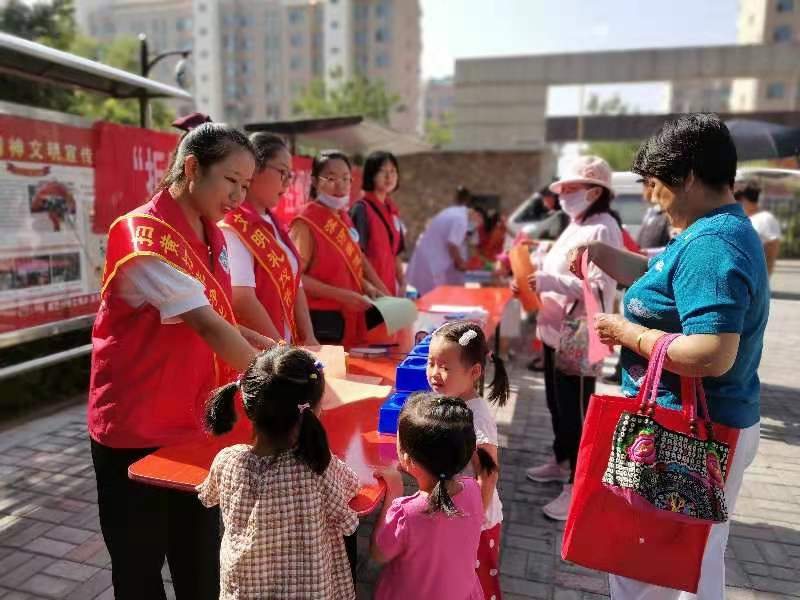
x=139 y=234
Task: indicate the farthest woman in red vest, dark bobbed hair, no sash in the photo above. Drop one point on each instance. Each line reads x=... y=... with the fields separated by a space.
x=377 y=220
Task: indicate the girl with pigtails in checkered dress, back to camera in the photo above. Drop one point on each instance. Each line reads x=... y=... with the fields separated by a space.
x=284 y=499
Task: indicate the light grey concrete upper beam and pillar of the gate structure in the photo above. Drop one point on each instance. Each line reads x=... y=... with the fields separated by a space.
x=500 y=103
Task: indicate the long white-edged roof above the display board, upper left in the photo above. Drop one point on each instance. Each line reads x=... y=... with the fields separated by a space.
x=30 y=60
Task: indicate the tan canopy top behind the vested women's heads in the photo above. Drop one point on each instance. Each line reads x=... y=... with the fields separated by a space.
x=351 y=134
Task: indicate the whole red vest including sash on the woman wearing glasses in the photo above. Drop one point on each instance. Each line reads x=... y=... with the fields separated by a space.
x=276 y=285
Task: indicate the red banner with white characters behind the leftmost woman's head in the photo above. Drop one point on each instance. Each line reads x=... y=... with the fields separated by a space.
x=129 y=164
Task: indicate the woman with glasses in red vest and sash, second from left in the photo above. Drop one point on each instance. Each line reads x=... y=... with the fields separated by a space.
x=265 y=266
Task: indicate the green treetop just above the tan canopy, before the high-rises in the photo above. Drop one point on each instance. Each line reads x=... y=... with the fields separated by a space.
x=357 y=96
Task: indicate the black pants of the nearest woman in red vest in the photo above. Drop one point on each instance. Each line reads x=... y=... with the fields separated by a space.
x=142 y=525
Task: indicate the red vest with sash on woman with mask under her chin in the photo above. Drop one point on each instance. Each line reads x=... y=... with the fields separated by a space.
x=337 y=262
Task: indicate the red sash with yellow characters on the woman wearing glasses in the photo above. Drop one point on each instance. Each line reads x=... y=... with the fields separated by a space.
x=260 y=241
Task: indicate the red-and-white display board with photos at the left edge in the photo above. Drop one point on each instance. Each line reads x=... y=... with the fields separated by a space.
x=48 y=269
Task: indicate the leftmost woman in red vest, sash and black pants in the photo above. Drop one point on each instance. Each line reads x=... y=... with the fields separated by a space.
x=164 y=323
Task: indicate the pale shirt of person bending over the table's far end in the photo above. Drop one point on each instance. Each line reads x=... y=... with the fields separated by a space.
x=431 y=264
